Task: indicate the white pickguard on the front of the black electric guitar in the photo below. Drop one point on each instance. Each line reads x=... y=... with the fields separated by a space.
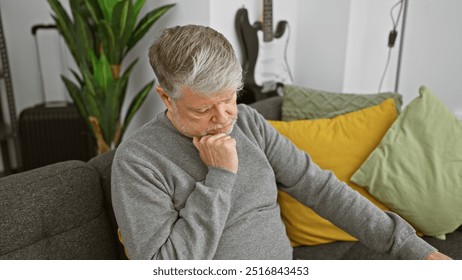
x=271 y=64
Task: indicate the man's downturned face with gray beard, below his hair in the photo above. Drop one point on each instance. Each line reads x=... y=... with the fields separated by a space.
x=197 y=115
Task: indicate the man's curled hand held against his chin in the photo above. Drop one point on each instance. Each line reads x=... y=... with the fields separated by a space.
x=218 y=150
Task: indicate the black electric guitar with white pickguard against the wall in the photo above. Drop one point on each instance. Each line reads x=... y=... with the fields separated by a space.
x=265 y=64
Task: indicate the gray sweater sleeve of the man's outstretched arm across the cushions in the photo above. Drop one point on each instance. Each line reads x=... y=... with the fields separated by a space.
x=332 y=199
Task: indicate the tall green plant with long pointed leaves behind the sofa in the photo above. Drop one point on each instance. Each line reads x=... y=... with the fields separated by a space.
x=99 y=34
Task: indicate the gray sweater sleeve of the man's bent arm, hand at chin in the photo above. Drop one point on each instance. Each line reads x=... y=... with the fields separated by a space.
x=150 y=225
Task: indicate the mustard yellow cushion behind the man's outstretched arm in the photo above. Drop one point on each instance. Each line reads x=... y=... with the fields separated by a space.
x=340 y=144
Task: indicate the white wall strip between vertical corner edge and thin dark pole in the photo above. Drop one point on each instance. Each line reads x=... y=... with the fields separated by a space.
x=367 y=47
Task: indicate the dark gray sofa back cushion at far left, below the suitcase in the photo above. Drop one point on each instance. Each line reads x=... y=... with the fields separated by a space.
x=54 y=212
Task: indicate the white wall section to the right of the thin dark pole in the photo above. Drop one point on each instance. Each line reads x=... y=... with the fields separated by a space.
x=432 y=53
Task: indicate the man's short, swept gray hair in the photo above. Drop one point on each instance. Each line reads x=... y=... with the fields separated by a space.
x=195 y=57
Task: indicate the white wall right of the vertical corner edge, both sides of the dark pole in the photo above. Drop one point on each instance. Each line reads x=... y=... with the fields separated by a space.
x=431 y=55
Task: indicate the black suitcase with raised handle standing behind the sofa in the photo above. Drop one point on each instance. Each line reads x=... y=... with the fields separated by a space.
x=53 y=131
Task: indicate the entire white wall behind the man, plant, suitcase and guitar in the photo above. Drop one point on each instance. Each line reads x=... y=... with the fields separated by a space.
x=336 y=45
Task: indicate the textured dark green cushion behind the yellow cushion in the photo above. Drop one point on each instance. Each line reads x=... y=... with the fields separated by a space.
x=304 y=103
